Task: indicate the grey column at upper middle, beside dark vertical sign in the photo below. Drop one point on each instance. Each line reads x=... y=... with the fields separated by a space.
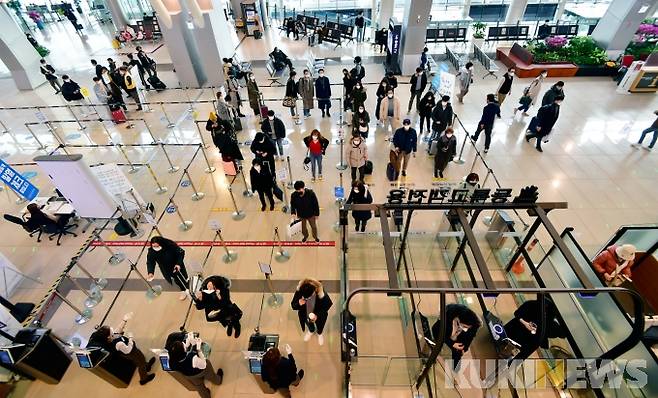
x=414 y=32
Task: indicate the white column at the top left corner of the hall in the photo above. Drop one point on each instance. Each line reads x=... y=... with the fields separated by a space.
x=20 y=57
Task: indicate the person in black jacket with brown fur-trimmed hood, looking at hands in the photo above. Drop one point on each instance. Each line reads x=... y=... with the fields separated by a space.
x=312 y=304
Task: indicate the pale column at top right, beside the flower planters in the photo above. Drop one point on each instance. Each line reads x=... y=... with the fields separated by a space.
x=619 y=23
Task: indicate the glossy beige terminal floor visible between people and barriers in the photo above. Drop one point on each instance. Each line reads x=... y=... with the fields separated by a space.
x=587 y=163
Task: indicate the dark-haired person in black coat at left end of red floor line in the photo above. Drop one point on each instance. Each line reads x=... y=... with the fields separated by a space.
x=170 y=259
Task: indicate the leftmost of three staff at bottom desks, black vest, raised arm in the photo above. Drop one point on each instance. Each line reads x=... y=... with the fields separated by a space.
x=115 y=342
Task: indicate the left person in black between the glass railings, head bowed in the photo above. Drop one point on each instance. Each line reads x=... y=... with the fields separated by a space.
x=462 y=325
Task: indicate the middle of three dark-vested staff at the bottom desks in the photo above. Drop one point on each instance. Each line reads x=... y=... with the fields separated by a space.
x=188 y=359
